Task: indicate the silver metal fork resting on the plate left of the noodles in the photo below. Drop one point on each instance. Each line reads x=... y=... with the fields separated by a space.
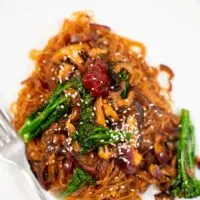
x=12 y=150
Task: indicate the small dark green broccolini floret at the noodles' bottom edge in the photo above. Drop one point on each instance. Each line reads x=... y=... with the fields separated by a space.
x=79 y=179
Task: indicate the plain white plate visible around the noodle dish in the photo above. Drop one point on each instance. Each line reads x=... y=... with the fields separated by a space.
x=170 y=29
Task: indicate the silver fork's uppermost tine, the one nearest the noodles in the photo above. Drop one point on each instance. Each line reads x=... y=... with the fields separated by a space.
x=5 y=122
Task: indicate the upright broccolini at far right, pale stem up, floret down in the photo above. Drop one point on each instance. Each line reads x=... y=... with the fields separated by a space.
x=185 y=184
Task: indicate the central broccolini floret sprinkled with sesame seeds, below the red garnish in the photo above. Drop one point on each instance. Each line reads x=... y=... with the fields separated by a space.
x=91 y=136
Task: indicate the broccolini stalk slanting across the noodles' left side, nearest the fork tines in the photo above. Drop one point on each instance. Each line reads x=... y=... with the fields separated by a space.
x=57 y=105
